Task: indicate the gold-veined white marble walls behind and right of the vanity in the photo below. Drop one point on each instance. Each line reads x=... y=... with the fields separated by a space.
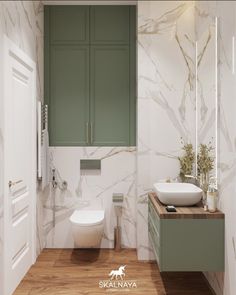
x=167 y=31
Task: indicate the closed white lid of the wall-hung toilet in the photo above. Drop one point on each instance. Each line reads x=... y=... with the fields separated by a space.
x=87 y=217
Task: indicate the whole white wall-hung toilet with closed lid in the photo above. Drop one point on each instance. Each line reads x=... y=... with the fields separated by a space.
x=87 y=228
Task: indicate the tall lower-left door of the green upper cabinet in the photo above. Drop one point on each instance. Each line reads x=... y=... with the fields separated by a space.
x=69 y=95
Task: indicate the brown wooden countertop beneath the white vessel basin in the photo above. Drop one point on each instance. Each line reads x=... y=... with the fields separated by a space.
x=193 y=212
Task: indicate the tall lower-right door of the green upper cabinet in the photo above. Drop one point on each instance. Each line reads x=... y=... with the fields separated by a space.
x=109 y=95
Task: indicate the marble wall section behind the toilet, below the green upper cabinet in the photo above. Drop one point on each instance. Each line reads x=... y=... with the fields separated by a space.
x=90 y=190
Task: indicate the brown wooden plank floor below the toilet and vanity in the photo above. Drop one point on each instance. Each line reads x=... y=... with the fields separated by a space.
x=77 y=272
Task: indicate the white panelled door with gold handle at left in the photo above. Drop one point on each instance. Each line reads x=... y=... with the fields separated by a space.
x=19 y=164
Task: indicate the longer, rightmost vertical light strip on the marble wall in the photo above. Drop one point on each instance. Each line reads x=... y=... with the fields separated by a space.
x=216 y=101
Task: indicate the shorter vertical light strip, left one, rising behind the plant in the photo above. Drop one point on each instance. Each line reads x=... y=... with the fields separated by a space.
x=196 y=106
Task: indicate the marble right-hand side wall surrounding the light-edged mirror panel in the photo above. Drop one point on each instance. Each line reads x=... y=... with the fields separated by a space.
x=224 y=283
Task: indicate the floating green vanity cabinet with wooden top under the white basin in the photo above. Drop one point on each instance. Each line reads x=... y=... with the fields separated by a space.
x=186 y=242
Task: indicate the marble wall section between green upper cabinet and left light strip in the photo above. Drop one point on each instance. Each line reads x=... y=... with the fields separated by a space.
x=166 y=98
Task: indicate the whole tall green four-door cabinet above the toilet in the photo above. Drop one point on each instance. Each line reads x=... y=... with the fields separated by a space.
x=90 y=75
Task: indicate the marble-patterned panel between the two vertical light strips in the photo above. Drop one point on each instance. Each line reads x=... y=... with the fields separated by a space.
x=206 y=46
